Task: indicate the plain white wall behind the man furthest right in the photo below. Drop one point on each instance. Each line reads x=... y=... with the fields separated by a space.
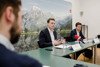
x=91 y=15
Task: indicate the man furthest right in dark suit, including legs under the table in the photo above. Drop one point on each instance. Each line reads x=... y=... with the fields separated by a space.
x=78 y=32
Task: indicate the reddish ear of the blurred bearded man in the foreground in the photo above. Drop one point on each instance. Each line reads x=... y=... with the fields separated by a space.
x=9 y=14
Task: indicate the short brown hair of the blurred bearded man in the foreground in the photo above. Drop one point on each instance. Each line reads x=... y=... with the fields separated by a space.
x=13 y=3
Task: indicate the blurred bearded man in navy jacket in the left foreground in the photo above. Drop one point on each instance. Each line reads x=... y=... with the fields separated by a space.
x=10 y=30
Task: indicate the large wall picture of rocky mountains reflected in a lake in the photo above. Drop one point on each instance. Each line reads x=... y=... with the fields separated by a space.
x=36 y=13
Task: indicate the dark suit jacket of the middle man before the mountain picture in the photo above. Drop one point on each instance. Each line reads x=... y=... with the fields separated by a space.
x=45 y=38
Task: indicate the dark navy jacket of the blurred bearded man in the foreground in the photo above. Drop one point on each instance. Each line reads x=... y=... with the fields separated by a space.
x=12 y=59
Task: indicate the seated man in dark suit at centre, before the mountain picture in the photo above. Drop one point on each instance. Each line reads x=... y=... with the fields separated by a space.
x=48 y=36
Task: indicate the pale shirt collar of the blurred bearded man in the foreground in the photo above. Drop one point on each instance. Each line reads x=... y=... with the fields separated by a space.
x=5 y=42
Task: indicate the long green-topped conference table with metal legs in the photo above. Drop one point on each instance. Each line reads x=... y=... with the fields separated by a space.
x=55 y=57
